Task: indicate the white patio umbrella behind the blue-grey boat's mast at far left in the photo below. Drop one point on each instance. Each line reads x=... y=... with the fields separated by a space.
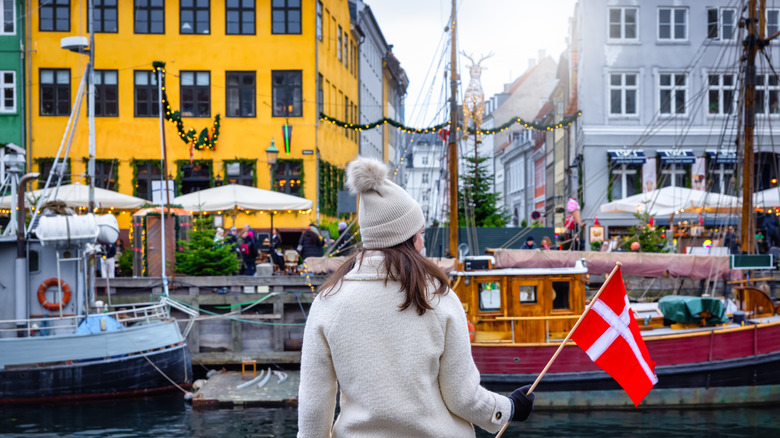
x=77 y=195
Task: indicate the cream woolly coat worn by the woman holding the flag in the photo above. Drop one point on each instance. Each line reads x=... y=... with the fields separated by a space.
x=400 y=374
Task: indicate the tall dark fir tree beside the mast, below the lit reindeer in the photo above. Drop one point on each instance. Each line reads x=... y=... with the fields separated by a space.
x=483 y=202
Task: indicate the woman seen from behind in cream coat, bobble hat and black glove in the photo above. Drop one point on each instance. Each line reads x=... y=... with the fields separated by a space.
x=387 y=332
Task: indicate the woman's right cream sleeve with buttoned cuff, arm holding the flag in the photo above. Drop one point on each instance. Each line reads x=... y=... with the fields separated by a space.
x=459 y=376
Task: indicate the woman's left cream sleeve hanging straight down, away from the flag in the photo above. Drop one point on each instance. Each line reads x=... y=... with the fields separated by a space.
x=318 y=387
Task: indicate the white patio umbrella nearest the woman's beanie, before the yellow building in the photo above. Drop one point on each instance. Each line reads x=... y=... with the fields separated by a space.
x=234 y=196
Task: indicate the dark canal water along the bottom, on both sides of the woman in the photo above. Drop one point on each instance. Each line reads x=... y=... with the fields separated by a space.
x=169 y=416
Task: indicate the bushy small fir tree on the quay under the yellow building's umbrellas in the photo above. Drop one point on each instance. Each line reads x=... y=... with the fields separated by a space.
x=201 y=256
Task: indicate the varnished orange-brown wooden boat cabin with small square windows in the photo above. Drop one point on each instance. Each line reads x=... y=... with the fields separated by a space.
x=518 y=306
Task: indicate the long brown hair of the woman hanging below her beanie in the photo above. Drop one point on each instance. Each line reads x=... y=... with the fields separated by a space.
x=405 y=265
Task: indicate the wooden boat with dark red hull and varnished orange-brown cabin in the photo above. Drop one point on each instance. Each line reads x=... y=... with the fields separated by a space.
x=520 y=317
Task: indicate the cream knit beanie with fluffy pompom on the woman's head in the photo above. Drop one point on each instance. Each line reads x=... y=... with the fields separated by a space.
x=387 y=214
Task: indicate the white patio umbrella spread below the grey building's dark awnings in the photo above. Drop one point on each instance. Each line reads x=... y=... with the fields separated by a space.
x=671 y=200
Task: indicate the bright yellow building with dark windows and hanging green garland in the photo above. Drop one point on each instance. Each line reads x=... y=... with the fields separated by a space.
x=257 y=64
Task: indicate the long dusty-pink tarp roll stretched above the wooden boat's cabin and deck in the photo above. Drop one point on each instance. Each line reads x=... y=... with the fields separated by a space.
x=696 y=267
